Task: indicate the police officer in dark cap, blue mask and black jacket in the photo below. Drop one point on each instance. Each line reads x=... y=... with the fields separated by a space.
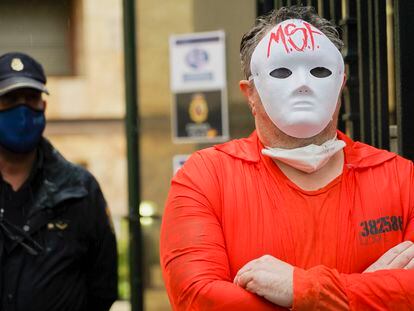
x=57 y=245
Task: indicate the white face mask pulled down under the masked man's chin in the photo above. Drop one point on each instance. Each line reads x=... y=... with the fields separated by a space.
x=307 y=159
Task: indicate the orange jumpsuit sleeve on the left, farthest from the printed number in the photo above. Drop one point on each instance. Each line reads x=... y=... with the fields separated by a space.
x=192 y=247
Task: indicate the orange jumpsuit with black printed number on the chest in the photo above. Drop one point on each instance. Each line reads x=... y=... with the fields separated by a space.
x=229 y=204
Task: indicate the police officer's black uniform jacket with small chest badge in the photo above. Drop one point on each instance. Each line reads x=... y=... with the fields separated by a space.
x=57 y=245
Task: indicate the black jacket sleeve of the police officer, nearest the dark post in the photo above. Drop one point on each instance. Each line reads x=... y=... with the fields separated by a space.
x=102 y=263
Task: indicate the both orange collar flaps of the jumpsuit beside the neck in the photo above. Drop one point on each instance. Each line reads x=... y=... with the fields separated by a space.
x=357 y=154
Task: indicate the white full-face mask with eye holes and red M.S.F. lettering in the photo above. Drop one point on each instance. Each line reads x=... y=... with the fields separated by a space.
x=298 y=73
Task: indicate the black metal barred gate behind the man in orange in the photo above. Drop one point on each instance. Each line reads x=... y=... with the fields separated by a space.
x=378 y=92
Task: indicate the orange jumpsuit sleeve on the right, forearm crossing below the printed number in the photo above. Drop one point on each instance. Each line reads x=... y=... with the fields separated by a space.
x=322 y=288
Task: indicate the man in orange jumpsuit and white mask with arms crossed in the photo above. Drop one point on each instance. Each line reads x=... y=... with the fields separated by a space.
x=297 y=215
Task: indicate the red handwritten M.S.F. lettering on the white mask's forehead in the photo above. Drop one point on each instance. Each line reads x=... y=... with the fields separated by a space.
x=284 y=34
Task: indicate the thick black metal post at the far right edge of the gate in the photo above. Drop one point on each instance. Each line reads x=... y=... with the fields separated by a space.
x=404 y=69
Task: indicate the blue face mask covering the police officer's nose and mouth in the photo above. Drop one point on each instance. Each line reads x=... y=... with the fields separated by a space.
x=21 y=128
